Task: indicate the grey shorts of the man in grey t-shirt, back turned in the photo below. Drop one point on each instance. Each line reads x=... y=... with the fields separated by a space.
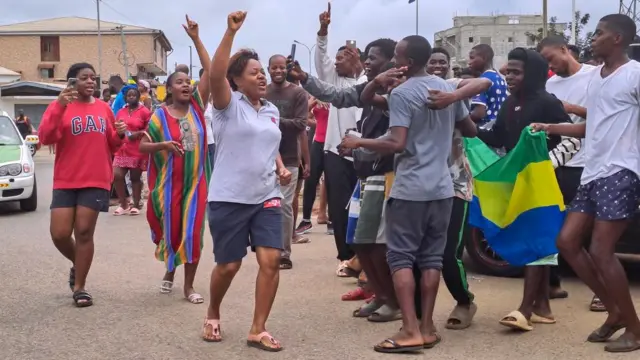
x=416 y=233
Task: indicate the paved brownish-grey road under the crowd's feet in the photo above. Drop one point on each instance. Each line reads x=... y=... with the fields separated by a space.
x=131 y=320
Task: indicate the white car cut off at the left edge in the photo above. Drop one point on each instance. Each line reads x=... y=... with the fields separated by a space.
x=17 y=169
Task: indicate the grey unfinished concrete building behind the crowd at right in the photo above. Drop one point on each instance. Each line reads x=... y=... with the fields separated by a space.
x=502 y=32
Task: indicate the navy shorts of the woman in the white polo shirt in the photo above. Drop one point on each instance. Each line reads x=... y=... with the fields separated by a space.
x=234 y=227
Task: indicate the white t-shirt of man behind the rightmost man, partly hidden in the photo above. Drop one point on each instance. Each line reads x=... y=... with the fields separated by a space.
x=572 y=89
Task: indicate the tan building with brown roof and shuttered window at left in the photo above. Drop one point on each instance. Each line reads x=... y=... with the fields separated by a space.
x=42 y=51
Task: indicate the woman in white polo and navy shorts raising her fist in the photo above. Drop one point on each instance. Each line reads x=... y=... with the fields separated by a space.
x=244 y=194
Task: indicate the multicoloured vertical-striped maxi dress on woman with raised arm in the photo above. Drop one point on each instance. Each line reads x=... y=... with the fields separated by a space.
x=178 y=185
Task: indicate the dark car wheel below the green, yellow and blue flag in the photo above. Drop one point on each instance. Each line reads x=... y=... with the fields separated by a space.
x=486 y=260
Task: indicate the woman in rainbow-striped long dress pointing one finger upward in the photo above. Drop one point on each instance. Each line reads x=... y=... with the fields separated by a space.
x=178 y=174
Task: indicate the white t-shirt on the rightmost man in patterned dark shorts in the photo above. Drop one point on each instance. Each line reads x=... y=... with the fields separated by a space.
x=612 y=142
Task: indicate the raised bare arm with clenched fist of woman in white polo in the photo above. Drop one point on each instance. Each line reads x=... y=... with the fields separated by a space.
x=220 y=88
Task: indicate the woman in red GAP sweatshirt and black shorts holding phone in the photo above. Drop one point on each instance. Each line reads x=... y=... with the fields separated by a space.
x=85 y=134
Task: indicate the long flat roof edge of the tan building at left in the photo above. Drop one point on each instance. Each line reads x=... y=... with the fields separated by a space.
x=76 y=25
